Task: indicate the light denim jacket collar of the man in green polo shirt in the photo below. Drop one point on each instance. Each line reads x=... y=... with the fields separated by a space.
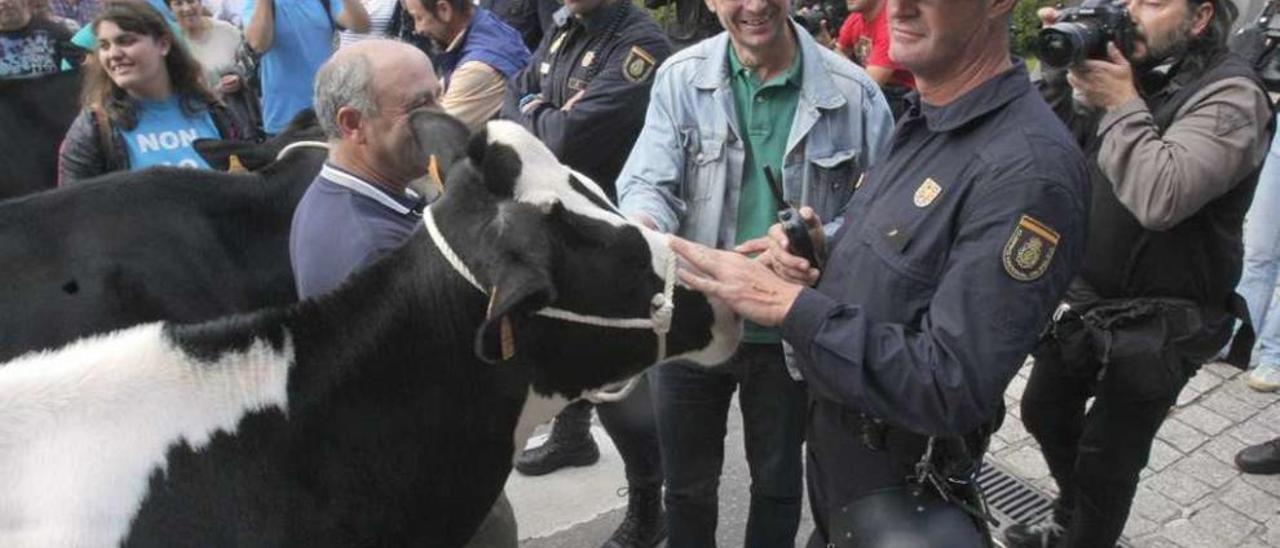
x=816 y=84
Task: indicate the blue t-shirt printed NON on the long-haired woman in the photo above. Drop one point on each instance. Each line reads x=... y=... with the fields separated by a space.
x=164 y=135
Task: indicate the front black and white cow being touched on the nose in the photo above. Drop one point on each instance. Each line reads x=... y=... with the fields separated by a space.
x=365 y=417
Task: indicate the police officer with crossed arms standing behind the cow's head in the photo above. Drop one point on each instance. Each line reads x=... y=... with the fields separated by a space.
x=584 y=95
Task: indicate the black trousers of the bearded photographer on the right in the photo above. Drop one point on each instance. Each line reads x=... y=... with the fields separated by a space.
x=1096 y=456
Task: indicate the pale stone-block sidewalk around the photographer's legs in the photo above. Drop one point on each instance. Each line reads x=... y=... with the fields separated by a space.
x=1191 y=495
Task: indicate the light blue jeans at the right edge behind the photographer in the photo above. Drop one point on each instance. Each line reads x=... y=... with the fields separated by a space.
x=1263 y=258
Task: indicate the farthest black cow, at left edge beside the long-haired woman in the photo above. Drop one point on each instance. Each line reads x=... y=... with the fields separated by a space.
x=35 y=115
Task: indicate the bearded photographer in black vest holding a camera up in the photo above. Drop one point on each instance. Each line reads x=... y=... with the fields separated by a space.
x=1177 y=135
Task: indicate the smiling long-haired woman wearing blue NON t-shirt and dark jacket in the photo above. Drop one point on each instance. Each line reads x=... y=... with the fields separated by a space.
x=145 y=101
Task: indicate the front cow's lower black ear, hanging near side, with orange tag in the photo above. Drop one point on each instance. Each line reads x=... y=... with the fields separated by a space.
x=520 y=289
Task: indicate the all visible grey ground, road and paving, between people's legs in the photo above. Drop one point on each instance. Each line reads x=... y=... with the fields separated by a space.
x=1191 y=495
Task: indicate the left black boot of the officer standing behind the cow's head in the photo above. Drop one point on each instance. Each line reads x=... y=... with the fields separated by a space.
x=569 y=445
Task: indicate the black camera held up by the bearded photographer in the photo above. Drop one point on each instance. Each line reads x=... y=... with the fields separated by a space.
x=1084 y=33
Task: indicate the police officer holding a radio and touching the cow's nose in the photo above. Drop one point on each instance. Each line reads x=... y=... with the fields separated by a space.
x=954 y=253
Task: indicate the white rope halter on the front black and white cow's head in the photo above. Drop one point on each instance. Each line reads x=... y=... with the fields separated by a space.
x=659 y=322
